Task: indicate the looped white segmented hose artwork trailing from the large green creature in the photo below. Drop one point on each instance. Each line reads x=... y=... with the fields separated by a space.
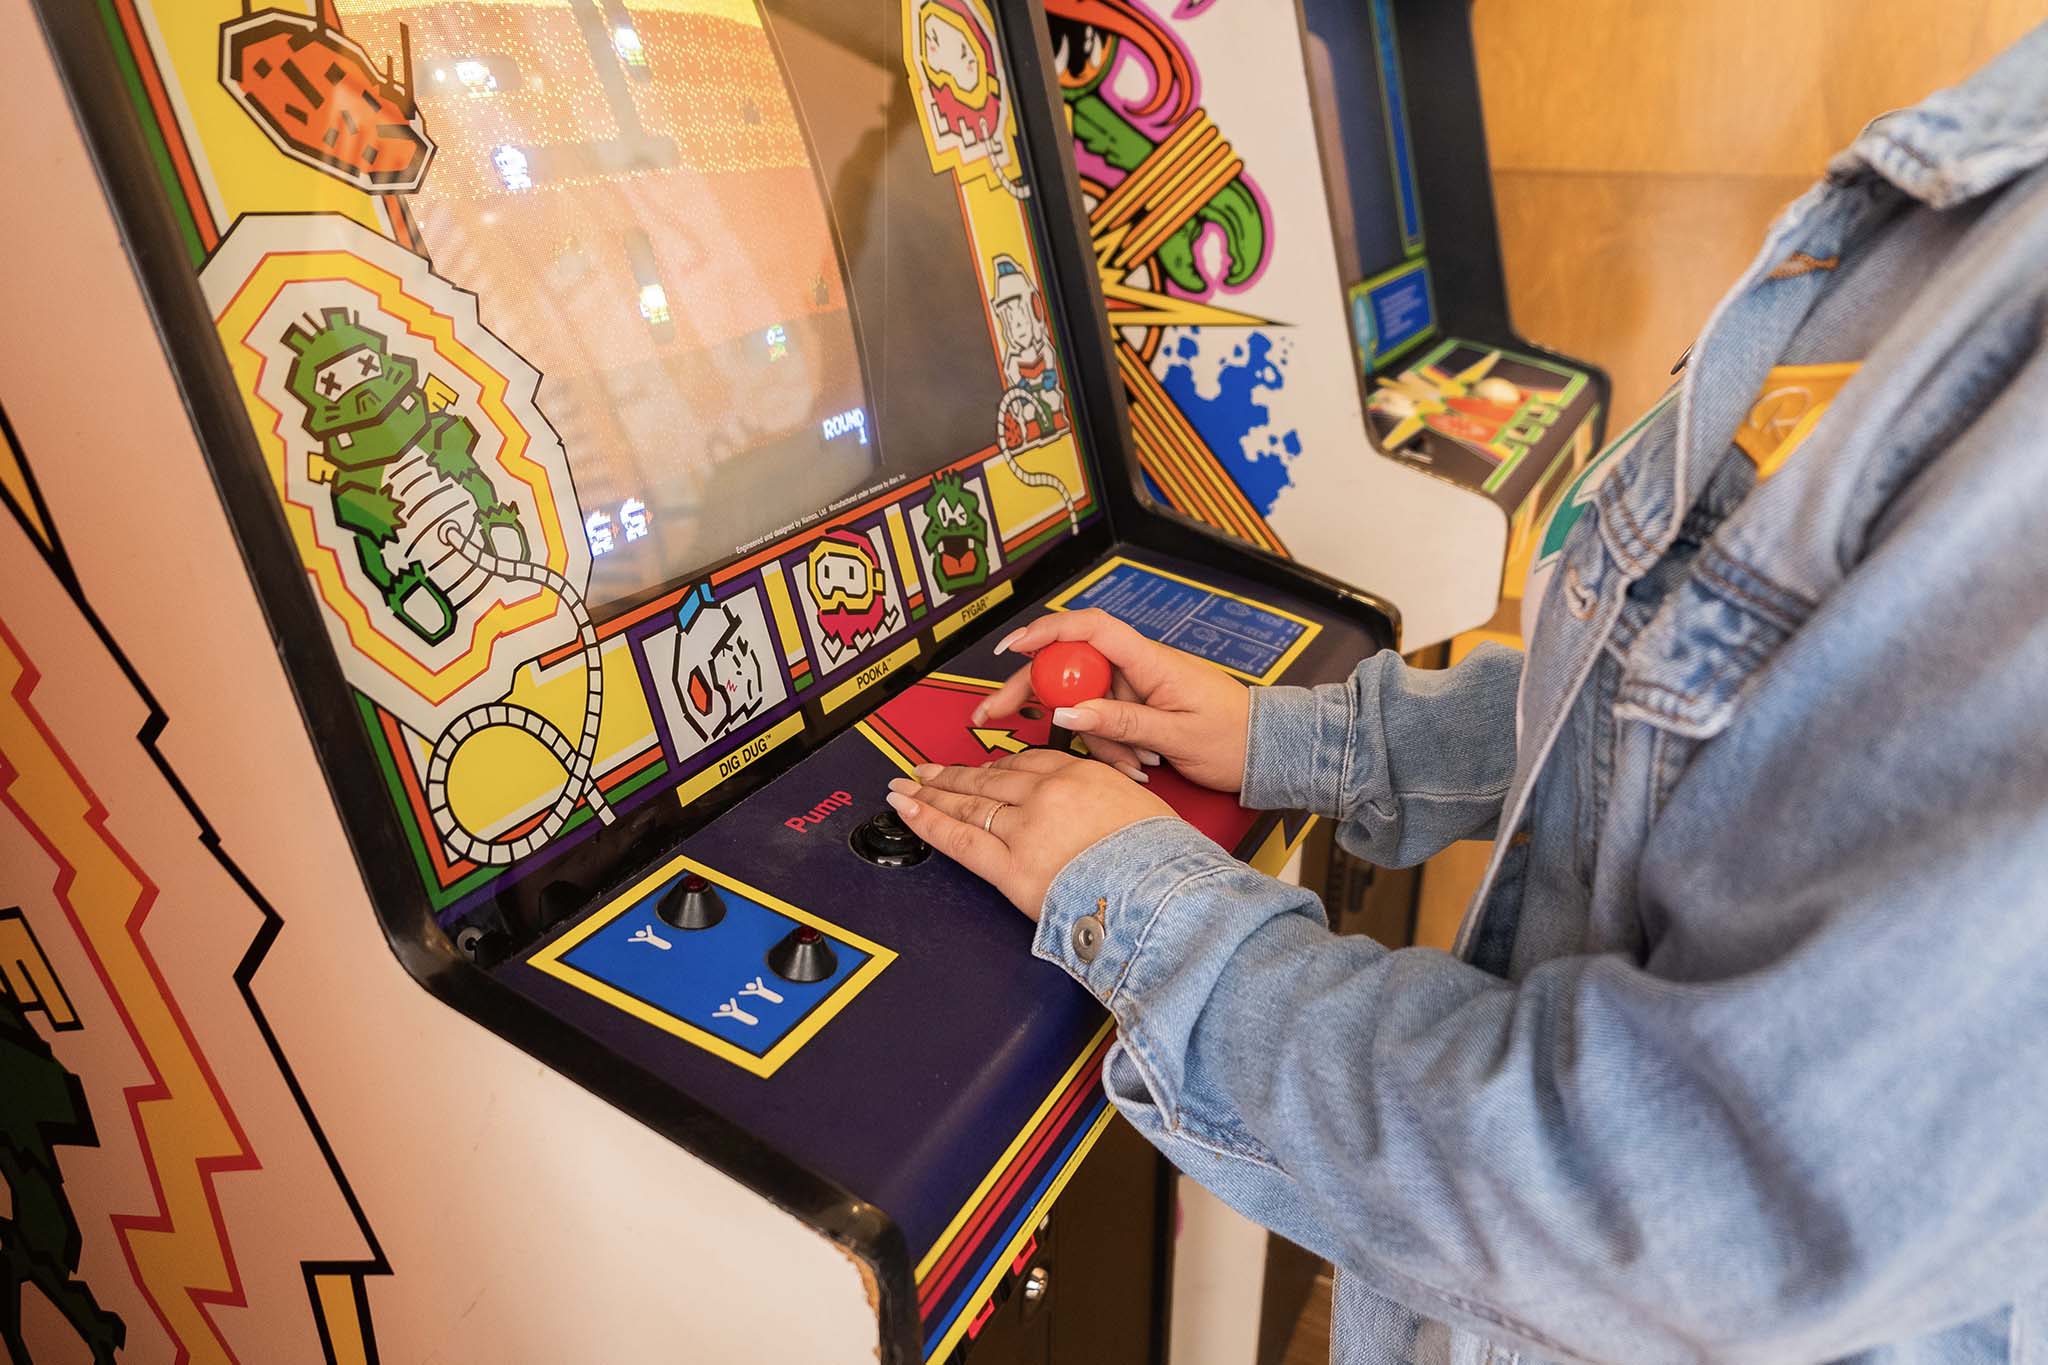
x=577 y=760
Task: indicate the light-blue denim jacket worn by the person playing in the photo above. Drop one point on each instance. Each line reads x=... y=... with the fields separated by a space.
x=1744 y=1047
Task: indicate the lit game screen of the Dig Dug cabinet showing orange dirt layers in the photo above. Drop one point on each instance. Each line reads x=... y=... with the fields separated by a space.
x=728 y=298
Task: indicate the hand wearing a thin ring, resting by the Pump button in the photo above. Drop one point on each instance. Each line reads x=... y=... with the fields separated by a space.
x=1021 y=820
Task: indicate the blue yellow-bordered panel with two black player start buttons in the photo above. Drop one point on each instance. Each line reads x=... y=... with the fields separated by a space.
x=710 y=979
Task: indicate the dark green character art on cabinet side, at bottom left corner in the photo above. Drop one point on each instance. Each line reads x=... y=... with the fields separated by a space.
x=42 y=1106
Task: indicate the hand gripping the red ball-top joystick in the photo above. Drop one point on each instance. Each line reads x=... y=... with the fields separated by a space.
x=1164 y=705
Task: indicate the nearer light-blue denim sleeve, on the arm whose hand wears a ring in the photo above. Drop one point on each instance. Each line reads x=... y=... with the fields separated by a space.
x=1824 y=1147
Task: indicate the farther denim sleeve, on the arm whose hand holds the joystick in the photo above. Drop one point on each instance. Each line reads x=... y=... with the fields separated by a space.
x=1406 y=760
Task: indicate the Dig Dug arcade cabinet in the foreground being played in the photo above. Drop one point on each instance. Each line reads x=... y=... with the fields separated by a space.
x=495 y=490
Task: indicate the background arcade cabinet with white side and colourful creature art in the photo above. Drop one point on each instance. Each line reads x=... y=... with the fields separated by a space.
x=1316 y=351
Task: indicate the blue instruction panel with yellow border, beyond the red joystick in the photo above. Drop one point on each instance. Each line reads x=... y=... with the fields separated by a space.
x=1240 y=635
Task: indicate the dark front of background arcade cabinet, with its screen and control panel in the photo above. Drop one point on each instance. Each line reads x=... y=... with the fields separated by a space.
x=1453 y=390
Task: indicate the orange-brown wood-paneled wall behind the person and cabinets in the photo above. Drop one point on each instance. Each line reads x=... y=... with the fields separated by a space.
x=1639 y=152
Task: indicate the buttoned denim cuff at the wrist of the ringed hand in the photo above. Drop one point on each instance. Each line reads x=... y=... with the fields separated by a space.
x=1099 y=912
